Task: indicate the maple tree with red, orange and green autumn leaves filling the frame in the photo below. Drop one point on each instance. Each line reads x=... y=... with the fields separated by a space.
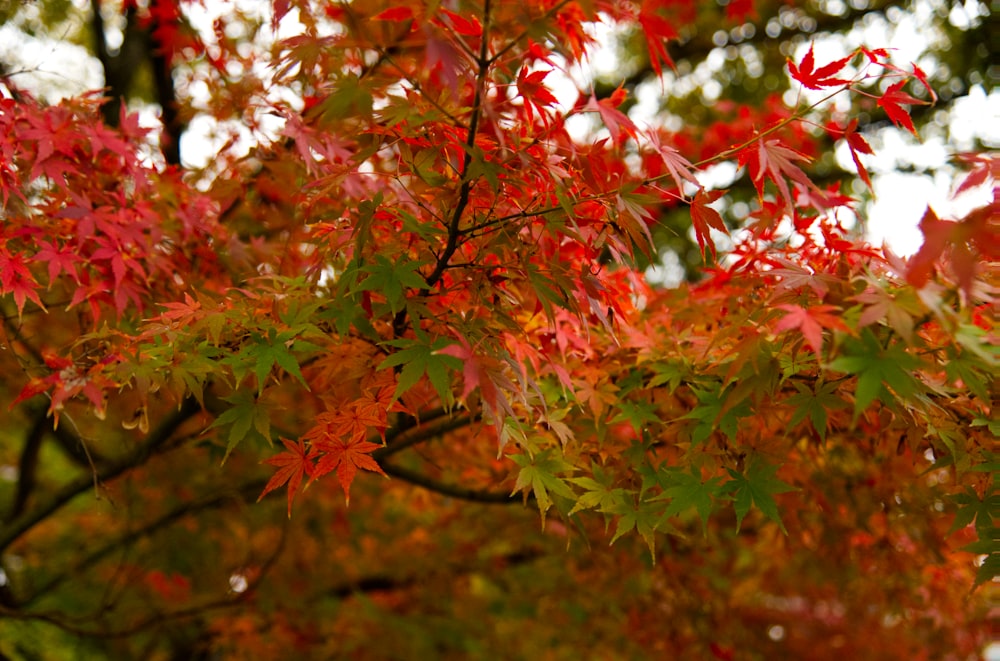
x=419 y=272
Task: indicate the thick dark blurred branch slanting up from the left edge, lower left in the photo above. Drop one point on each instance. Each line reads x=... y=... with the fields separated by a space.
x=13 y=530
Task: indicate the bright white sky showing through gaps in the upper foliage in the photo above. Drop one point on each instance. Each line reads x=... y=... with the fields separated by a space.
x=58 y=69
